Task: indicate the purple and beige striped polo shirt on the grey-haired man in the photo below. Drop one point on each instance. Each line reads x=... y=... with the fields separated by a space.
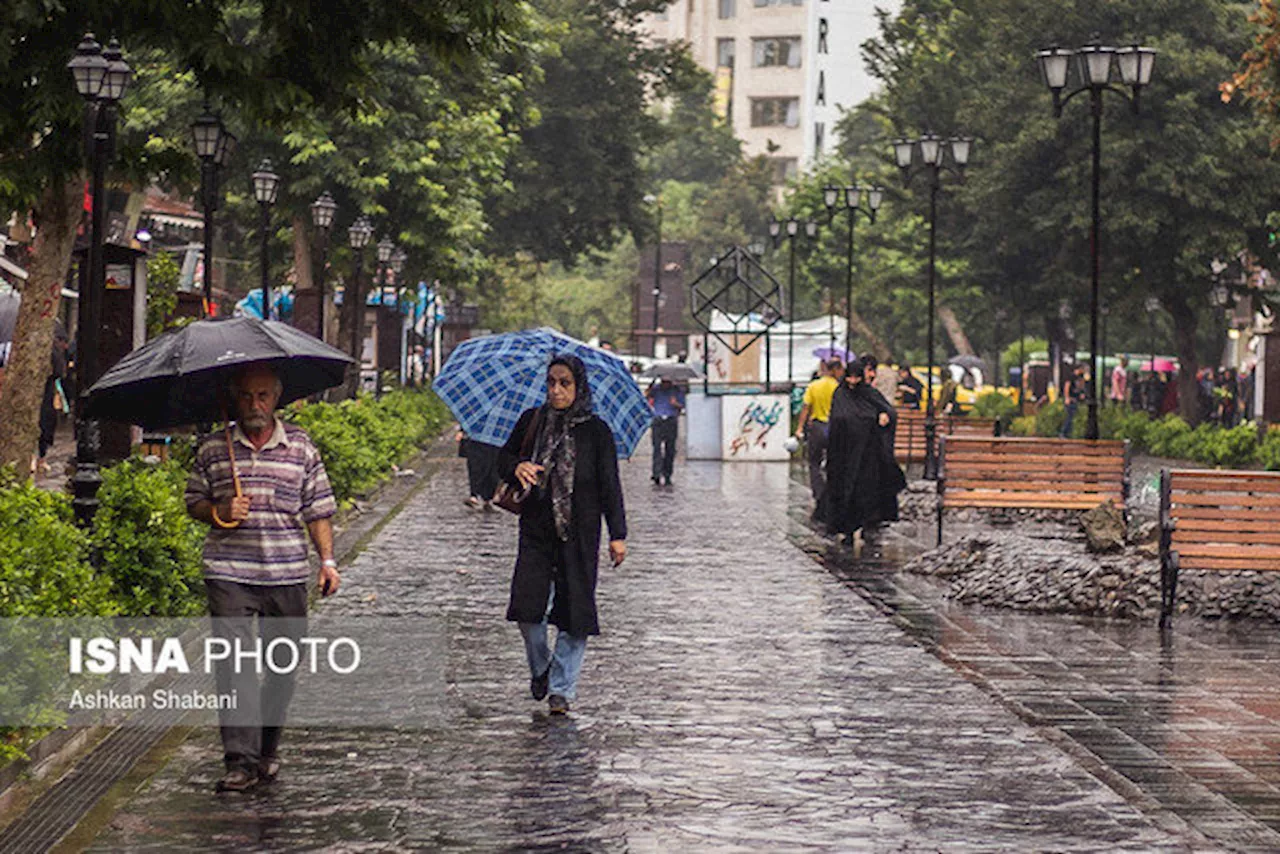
x=287 y=487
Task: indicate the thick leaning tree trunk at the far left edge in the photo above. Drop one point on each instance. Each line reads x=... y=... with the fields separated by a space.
x=60 y=214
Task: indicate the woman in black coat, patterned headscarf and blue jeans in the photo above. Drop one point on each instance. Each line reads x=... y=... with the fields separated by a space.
x=572 y=472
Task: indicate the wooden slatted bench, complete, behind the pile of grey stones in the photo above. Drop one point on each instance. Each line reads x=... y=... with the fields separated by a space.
x=1031 y=474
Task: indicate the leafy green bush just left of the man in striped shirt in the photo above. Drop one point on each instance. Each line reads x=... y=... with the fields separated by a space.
x=148 y=546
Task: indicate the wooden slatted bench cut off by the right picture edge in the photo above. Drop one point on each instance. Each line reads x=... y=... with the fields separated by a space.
x=1215 y=520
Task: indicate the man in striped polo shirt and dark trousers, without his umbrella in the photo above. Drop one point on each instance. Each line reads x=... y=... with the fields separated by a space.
x=258 y=490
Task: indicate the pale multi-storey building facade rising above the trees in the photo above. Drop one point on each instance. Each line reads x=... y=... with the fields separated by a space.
x=785 y=70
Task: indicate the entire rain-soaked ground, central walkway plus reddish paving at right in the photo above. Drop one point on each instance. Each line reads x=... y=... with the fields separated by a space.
x=747 y=697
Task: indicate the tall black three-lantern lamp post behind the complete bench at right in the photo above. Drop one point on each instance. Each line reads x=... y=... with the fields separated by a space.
x=1095 y=65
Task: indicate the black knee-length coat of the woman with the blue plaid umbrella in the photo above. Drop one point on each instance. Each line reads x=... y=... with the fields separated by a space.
x=543 y=558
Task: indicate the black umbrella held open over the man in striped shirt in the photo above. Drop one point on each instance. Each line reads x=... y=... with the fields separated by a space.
x=181 y=377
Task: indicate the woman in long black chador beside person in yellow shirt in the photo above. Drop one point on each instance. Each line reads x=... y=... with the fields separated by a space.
x=863 y=478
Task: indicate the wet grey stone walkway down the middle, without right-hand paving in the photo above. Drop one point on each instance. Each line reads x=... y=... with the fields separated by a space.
x=743 y=698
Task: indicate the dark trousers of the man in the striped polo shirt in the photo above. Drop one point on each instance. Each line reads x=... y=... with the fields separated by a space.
x=252 y=733
